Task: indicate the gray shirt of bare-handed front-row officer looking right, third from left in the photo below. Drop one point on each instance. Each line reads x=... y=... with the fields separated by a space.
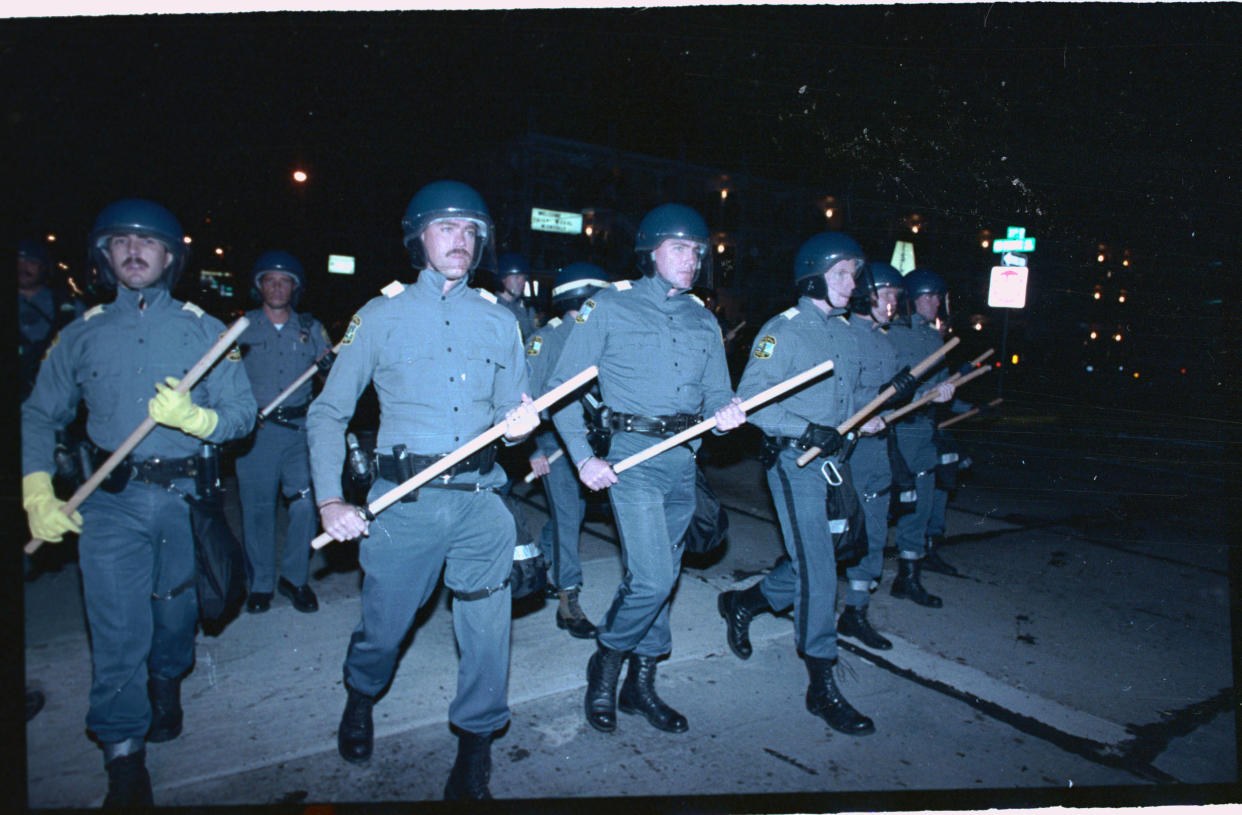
x=658 y=356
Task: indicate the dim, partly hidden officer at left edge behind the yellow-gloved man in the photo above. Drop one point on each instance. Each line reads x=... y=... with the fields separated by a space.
x=43 y=310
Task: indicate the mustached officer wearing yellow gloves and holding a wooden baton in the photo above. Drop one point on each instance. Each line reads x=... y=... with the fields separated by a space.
x=135 y=549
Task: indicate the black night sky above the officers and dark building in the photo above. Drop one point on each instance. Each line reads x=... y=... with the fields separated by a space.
x=1085 y=124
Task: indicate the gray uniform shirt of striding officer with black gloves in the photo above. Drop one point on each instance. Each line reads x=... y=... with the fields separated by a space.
x=796 y=341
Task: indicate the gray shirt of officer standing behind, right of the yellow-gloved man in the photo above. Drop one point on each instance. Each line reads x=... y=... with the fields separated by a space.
x=275 y=357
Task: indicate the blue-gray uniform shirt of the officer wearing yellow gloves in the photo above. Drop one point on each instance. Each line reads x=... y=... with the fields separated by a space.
x=112 y=357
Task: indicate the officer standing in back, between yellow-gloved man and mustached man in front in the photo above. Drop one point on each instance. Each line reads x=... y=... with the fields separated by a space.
x=278 y=348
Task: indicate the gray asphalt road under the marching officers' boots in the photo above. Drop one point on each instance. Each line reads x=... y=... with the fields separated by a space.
x=1084 y=659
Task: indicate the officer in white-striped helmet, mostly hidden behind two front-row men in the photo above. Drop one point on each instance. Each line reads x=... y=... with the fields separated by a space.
x=574 y=285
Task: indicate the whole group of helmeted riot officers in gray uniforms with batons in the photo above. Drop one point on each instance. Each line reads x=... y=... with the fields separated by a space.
x=449 y=362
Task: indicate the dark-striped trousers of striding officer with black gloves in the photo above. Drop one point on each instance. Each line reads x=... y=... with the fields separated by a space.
x=808 y=582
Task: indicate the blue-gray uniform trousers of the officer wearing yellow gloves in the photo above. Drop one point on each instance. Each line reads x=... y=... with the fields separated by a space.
x=137 y=560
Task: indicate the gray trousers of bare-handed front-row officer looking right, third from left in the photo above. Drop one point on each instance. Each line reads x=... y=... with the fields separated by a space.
x=653 y=505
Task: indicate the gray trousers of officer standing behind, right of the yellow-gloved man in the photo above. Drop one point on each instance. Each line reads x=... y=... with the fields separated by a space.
x=276 y=464
